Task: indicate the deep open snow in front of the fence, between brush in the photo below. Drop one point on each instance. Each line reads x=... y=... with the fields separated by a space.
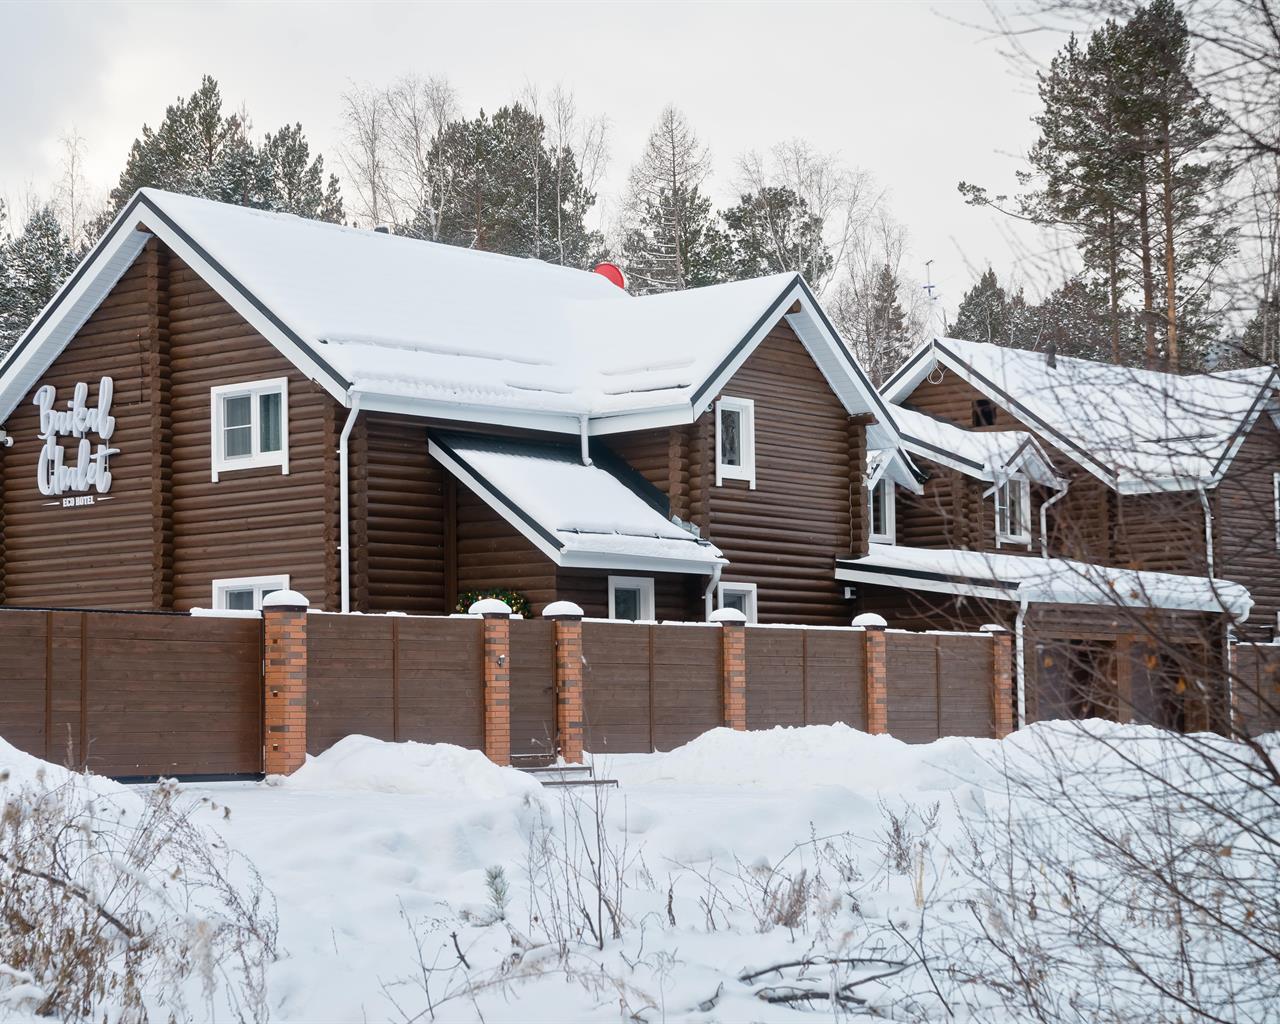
x=733 y=854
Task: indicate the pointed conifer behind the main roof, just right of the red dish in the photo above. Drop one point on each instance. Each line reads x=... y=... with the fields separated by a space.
x=671 y=240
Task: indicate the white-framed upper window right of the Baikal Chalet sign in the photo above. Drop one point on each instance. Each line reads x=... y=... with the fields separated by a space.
x=250 y=426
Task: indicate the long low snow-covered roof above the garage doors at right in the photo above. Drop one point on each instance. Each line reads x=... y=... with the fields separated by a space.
x=1041 y=580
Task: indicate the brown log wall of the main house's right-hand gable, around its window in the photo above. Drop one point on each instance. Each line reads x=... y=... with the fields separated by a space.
x=787 y=534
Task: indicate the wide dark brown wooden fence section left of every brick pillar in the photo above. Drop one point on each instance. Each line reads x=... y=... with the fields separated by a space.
x=134 y=694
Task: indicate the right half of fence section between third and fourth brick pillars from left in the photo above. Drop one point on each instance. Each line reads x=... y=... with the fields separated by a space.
x=688 y=684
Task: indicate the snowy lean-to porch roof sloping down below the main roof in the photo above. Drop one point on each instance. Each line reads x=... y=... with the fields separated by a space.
x=598 y=516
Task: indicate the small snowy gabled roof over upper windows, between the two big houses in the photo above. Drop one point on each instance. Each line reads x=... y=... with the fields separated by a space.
x=985 y=455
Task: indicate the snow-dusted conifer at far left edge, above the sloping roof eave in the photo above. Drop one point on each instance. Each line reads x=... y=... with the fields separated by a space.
x=33 y=268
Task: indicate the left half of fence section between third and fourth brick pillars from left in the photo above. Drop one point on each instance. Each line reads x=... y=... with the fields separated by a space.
x=616 y=693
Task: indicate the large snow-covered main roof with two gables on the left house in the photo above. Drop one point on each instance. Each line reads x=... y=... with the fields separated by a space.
x=406 y=326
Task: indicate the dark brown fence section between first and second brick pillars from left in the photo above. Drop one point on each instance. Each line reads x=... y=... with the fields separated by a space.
x=395 y=678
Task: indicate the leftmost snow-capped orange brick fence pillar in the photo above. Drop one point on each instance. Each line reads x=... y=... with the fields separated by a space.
x=285 y=680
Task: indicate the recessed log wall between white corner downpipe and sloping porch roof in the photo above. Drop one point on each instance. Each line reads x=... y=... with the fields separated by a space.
x=403 y=493
